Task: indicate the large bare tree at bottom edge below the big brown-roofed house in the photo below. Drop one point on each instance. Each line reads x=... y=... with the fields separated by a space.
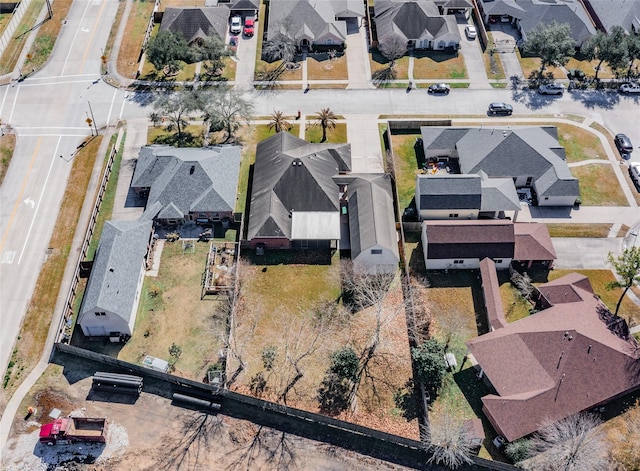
x=575 y=443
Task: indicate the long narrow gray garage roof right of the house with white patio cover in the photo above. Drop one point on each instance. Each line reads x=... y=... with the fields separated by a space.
x=371 y=212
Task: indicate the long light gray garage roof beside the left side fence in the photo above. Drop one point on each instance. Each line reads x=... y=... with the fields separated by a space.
x=116 y=268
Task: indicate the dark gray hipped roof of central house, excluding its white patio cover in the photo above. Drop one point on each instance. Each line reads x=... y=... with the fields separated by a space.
x=291 y=174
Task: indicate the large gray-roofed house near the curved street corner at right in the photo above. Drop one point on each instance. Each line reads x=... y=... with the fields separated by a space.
x=530 y=156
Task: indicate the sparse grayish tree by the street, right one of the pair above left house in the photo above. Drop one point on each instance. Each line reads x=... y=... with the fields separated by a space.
x=227 y=108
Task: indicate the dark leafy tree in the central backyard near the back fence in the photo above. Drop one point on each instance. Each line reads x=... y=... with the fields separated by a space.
x=333 y=393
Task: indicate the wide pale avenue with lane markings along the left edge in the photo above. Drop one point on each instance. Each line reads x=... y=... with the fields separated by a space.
x=48 y=112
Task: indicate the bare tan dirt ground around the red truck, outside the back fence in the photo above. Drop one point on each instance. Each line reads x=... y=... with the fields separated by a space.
x=152 y=434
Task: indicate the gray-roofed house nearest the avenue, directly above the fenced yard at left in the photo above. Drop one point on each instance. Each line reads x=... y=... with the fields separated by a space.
x=188 y=184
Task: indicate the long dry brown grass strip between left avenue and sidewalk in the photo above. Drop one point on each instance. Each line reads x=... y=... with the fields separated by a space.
x=35 y=326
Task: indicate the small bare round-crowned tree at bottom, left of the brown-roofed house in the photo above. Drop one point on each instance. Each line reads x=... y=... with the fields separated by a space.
x=448 y=440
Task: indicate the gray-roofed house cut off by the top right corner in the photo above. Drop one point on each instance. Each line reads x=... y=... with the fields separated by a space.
x=610 y=13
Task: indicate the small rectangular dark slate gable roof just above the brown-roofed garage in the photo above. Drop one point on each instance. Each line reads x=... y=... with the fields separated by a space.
x=449 y=191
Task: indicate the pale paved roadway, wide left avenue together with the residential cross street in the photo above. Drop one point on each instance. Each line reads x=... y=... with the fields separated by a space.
x=49 y=109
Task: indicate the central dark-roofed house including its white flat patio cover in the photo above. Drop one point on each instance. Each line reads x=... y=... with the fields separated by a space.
x=295 y=203
